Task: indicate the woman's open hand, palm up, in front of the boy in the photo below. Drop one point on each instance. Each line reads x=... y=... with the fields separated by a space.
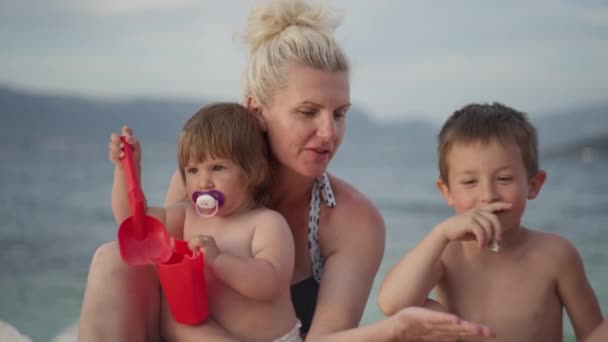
x=419 y=324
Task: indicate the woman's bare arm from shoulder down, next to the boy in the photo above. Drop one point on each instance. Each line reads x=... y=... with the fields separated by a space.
x=351 y=238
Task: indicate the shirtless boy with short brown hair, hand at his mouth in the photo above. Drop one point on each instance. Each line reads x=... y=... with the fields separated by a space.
x=484 y=266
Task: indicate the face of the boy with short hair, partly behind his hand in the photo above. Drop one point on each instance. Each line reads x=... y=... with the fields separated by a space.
x=483 y=173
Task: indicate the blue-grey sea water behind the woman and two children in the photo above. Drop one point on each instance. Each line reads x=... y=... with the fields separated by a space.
x=55 y=210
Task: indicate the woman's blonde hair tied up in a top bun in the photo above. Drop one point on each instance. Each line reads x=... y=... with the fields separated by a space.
x=285 y=32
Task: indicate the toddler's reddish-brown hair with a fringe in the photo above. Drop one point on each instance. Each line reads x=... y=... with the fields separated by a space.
x=227 y=130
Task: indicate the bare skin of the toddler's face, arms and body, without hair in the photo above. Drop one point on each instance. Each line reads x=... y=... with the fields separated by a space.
x=248 y=251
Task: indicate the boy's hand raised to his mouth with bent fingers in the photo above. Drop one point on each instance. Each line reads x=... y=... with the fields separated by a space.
x=480 y=224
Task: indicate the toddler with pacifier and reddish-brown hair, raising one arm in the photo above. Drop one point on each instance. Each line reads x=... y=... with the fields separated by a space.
x=248 y=249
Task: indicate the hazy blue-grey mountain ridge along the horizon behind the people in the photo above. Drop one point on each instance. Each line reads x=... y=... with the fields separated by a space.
x=52 y=122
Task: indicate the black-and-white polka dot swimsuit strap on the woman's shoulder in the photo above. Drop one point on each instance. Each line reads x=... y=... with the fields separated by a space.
x=321 y=188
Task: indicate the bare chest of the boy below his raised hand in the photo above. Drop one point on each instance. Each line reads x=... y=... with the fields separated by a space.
x=518 y=300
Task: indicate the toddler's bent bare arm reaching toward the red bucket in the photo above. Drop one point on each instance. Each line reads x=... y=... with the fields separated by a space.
x=269 y=271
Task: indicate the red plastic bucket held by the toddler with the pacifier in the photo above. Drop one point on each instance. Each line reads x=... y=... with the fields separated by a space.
x=182 y=279
